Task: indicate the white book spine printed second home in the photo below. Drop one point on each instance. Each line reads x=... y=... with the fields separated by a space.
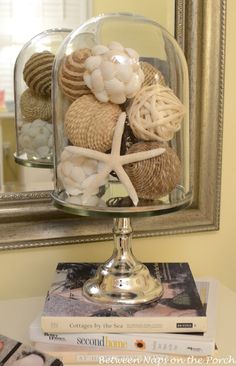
x=127 y=342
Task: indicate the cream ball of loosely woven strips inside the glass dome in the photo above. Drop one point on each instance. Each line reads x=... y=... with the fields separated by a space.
x=155 y=114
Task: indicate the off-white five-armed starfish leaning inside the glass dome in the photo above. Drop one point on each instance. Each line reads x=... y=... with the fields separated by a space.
x=114 y=161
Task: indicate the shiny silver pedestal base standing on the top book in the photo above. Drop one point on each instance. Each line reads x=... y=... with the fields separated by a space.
x=123 y=279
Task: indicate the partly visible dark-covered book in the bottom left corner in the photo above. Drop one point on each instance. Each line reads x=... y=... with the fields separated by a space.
x=14 y=353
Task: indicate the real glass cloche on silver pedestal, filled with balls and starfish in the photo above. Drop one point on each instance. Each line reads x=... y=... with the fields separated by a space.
x=121 y=134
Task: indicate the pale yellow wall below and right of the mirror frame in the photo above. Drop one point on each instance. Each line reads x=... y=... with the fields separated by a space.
x=29 y=272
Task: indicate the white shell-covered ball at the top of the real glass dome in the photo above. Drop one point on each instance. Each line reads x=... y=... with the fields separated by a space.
x=113 y=73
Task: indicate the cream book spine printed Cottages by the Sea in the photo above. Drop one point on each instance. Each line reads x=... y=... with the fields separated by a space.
x=123 y=325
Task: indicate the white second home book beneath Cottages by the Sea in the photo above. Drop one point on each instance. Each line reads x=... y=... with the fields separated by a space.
x=201 y=344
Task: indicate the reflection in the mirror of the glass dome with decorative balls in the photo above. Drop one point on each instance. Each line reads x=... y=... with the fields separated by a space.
x=32 y=92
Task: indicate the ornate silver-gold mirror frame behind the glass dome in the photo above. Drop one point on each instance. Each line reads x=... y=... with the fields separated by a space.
x=29 y=219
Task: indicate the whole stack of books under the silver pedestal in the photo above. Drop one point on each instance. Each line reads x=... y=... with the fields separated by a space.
x=79 y=331
